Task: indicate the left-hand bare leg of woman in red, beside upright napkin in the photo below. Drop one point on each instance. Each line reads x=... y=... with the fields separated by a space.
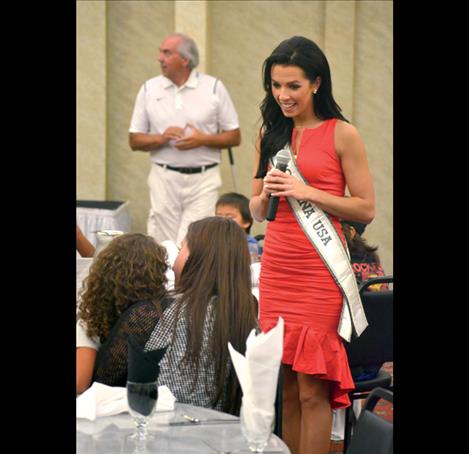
x=291 y=415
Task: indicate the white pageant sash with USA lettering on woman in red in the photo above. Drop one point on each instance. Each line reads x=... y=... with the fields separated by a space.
x=323 y=236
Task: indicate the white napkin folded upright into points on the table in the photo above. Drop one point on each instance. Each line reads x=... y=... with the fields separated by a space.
x=257 y=372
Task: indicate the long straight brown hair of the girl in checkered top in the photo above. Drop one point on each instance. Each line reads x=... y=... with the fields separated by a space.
x=218 y=272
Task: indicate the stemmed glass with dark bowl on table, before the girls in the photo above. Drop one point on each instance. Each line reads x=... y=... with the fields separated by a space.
x=141 y=398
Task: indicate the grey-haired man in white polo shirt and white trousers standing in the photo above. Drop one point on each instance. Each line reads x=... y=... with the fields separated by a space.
x=183 y=118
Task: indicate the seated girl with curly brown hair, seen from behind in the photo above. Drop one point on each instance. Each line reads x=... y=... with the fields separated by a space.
x=129 y=272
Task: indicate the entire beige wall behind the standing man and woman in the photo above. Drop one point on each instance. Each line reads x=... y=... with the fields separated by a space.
x=117 y=47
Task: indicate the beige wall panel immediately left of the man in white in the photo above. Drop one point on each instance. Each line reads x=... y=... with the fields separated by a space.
x=135 y=31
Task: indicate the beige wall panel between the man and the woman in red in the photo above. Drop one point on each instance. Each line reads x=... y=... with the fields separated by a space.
x=243 y=34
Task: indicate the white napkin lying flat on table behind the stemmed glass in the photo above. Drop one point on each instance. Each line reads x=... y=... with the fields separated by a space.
x=102 y=400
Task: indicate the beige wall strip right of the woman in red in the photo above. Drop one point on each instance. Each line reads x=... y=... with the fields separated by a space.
x=373 y=110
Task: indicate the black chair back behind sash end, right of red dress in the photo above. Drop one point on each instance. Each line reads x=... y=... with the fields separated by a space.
x=375 y=344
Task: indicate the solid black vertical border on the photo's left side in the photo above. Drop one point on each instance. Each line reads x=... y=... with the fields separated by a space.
x=38 y=225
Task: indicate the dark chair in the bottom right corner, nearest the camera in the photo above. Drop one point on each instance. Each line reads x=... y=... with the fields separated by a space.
x=372 y=433
